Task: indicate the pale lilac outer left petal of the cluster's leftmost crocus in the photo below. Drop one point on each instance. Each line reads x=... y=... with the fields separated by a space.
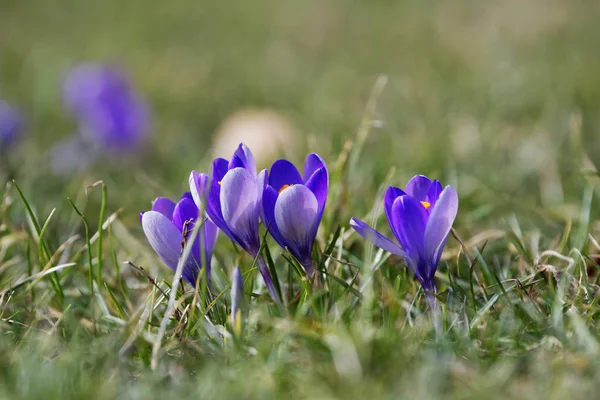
x=163 y=237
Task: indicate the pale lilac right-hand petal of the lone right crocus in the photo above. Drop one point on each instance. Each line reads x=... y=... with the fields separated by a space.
x=439 y=224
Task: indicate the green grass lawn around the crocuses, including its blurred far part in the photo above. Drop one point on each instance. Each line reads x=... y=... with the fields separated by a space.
x=500 y=100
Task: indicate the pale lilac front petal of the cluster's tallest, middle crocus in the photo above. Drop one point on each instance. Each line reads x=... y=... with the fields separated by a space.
x=239 y=202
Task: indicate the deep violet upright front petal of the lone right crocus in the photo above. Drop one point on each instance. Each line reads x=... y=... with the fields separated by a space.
x=408 y=223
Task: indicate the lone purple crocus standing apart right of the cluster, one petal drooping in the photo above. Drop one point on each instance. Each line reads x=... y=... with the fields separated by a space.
x=420 y=217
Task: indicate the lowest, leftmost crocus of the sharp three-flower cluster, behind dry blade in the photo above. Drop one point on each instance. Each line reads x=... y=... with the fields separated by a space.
x=167 y=227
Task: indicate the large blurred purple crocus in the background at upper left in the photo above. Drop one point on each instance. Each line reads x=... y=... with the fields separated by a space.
x=110 y=113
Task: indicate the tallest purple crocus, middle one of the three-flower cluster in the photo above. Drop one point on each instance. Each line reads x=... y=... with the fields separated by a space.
x=234 y=204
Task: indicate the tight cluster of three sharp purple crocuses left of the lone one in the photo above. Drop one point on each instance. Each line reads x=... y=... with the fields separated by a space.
x=236 y=199
